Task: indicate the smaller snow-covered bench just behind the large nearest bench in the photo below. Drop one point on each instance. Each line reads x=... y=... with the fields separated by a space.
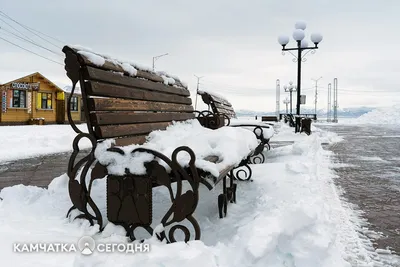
x=224 y=115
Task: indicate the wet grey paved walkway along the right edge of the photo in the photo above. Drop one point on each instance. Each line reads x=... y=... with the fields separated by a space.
x=370 y=176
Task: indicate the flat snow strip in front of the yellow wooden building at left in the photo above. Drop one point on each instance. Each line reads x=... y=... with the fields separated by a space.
x=19 y=142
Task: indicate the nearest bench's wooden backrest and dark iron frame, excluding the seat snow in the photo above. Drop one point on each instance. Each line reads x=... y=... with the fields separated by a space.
x=126 y=104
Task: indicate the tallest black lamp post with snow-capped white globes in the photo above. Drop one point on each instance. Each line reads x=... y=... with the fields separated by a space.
x=302 y=45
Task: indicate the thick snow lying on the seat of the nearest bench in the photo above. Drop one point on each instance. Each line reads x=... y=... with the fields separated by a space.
x=231 y=145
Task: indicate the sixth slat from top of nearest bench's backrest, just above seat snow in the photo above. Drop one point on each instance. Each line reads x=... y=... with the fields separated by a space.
x=110 y=131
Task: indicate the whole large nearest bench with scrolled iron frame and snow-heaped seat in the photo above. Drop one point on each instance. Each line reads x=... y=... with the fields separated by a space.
x=144 y=135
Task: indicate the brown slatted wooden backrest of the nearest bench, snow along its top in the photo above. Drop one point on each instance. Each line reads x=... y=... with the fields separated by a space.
x=125 y=103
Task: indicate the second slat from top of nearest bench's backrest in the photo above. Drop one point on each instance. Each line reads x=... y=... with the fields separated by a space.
x=116 y=78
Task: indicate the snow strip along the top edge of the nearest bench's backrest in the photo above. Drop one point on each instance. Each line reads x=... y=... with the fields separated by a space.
x=129 y=67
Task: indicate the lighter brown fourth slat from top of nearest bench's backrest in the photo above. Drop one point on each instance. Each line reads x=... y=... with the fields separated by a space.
x=114 y=104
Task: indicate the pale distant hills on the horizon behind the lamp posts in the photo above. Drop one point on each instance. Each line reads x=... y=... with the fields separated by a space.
x=342 y=112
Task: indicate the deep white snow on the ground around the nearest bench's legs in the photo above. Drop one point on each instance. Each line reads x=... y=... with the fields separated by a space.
x=291 y=215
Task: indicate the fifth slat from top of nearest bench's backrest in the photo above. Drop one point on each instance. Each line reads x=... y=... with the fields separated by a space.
x=123 y=117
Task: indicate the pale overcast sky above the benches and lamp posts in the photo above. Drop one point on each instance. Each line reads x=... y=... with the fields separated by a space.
x=233 y=44
